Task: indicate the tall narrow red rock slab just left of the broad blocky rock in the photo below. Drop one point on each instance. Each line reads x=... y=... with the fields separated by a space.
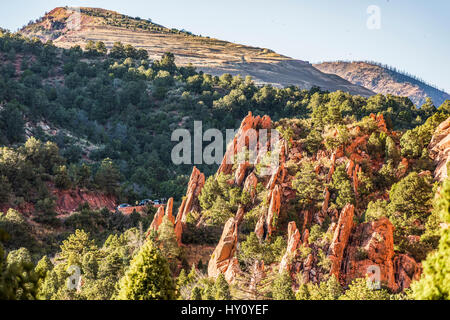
x=340 y=239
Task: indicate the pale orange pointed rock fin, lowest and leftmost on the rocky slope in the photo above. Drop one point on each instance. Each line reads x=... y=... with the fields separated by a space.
x=223 y=259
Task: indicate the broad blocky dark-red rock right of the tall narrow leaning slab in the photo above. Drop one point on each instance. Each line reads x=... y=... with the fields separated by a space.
x=372 y=245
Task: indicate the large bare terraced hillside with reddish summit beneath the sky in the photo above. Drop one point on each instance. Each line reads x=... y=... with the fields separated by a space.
x=209 y=55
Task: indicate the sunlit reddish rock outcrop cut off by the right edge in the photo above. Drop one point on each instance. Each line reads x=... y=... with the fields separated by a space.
x=439 y=148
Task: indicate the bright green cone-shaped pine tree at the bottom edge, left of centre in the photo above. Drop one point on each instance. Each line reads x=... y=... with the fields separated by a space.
x=148 y=277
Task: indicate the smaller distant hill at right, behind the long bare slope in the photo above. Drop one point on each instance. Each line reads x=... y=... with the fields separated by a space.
x=384 y=80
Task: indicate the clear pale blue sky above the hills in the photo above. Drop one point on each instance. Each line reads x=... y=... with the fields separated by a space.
x=413 y=36
